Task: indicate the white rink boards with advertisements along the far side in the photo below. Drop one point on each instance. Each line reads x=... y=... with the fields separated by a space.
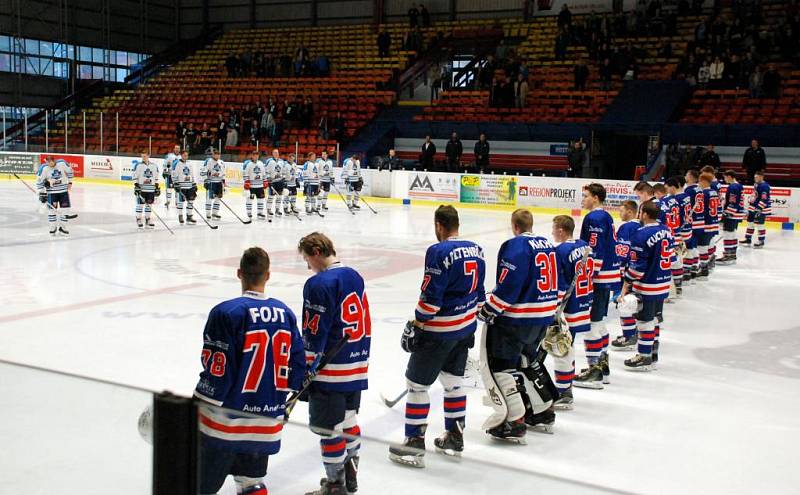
x=415 y=187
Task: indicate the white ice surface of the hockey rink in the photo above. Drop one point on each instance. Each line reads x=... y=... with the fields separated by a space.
x=111 y=302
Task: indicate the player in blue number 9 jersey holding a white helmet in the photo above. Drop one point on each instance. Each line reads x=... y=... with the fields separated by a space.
x=648 y=275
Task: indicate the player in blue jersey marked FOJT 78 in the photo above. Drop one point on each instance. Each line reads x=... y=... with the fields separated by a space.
x=252 y=357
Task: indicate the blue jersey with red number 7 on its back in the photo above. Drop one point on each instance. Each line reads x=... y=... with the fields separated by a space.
x=452 y=288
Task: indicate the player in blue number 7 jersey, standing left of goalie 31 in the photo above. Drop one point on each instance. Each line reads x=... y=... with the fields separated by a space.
x=439 y=338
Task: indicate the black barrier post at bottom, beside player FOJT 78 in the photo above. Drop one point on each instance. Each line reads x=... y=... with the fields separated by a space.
x=174 y=445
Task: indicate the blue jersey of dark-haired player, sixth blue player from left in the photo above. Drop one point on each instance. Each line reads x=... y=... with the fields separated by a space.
x=597 y=230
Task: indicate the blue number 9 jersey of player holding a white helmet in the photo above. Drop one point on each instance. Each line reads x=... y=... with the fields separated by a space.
x=651 y=262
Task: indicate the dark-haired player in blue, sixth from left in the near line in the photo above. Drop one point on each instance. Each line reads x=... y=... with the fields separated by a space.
x=597 y=230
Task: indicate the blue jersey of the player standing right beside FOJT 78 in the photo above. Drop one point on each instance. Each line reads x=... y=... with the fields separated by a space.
x=335 y=306
